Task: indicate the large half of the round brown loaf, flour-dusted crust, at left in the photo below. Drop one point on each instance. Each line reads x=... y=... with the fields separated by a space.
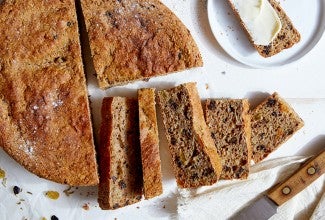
x=44 y=111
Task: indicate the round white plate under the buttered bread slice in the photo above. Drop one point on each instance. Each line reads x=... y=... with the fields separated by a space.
x=307 y=16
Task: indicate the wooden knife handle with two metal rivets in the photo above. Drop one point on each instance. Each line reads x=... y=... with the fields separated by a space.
x=302 y=178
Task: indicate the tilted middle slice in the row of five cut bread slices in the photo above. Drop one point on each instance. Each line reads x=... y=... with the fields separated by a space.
x=195 y=158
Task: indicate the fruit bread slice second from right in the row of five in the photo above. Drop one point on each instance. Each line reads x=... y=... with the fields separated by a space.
x=229 y=123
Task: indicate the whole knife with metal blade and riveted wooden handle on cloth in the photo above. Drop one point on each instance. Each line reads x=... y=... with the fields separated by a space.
x=266 y=206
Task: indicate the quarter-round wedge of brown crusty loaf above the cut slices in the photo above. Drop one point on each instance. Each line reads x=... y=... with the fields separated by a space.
x=136 y=39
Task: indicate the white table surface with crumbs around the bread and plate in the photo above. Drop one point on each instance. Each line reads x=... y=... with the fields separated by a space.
x=302 y=84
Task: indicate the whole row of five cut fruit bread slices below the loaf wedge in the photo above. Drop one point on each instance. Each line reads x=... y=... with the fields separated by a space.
x=216 y=140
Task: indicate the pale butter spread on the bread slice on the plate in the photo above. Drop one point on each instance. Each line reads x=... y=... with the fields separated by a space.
x=260 y=20
